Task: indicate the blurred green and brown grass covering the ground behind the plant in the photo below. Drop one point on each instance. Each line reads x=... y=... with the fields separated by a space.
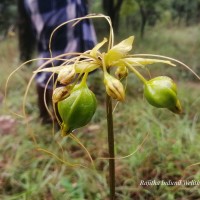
x=170 y=143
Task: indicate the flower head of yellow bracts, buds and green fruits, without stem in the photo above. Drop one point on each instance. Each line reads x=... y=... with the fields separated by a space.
x=77 y=103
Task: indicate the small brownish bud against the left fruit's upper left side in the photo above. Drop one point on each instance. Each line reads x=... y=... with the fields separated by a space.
x=60 y=93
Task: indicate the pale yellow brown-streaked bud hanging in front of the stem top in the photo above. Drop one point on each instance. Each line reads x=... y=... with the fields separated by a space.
x=114 y=87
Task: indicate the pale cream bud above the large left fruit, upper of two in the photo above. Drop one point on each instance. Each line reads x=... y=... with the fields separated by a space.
x=66 y=75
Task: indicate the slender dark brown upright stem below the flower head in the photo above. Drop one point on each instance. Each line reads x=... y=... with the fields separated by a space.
x=111 y=146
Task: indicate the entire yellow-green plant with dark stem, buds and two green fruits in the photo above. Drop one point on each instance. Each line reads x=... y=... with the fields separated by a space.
x=77 y=103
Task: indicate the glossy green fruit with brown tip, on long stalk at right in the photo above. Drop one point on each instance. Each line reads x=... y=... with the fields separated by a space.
x=161 y=92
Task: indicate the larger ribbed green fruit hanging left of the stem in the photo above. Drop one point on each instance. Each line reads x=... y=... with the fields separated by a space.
x=78 y=109
